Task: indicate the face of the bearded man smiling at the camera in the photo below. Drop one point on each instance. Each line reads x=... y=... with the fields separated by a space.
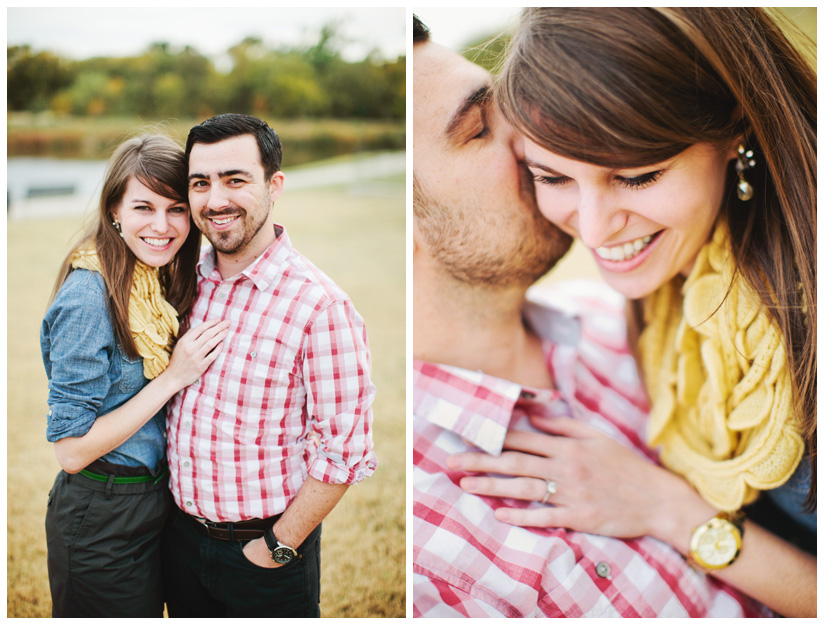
x=229 y=196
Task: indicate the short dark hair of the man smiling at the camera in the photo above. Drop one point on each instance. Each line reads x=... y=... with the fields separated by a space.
x=230 y=125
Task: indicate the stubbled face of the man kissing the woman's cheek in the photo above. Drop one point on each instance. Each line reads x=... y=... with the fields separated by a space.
x=474 y=204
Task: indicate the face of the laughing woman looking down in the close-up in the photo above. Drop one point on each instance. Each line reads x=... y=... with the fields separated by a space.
x=644 y=225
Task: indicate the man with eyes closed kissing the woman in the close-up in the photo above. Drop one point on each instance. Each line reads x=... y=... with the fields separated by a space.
x=485 y=359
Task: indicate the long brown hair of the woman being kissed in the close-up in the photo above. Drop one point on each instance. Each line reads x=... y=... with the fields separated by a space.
x=629 y=87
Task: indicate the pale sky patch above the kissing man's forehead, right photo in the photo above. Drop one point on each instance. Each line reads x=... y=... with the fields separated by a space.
x=454 y=27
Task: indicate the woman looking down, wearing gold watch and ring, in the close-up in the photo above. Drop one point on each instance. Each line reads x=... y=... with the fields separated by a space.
x=679 y=145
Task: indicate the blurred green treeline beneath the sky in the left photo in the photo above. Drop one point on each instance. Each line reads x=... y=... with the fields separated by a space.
x=165 y=81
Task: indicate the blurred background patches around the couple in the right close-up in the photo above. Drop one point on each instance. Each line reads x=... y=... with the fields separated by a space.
x=482 y=35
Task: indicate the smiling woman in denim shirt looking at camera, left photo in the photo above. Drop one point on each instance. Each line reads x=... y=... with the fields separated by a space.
x=108 y=330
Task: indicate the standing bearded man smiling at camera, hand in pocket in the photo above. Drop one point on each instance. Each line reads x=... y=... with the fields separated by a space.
x=265 y=444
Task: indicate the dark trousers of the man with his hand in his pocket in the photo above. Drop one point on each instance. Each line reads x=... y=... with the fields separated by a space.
x=206 y=577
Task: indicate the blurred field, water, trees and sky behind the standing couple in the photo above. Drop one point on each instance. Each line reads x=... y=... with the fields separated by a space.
x=331 y=82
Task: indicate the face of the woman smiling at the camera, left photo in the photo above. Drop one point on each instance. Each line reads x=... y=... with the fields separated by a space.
x=153 y=226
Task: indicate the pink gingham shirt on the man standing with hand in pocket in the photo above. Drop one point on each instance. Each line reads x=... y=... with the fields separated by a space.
x=289 y=394
